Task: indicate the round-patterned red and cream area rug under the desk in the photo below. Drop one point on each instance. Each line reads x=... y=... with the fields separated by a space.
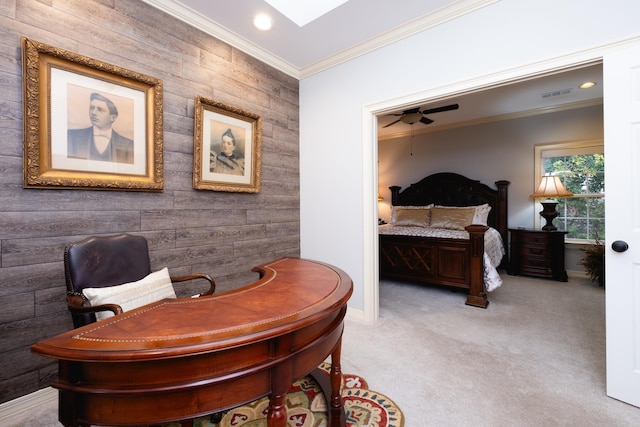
x=307 y=407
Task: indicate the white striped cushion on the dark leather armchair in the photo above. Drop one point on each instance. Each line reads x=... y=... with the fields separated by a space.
x=151 y=288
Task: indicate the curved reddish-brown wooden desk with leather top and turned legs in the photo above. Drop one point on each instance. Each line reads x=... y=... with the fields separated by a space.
x=182 y=358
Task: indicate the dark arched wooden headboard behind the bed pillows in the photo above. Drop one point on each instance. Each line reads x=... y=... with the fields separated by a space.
x=452 y=189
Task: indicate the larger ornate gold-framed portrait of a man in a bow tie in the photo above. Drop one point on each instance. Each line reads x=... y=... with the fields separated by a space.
x=88 y=124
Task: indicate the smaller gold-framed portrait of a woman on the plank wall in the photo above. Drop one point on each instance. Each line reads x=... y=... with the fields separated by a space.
x=227 y=148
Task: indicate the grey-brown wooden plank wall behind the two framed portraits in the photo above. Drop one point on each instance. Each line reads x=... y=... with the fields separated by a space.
x=223 y=234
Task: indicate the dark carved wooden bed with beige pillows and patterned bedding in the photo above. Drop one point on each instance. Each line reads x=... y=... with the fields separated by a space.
x=447 y=230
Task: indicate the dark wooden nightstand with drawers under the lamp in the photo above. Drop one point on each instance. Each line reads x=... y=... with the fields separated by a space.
x=537 y=253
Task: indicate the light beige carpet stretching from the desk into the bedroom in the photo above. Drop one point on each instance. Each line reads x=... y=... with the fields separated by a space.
x=534 y=357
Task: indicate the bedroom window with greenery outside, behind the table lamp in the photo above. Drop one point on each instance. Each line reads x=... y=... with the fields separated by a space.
x=580 y=166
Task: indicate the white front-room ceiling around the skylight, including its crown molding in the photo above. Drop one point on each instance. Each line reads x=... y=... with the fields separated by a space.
x=349 y=30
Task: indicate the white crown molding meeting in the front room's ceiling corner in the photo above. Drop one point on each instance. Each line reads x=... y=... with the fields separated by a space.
x=201 y=22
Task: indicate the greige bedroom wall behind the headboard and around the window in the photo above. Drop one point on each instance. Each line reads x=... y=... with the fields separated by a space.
x=487 y=152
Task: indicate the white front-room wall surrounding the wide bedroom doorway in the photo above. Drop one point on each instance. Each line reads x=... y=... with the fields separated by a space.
x=501 y=41
